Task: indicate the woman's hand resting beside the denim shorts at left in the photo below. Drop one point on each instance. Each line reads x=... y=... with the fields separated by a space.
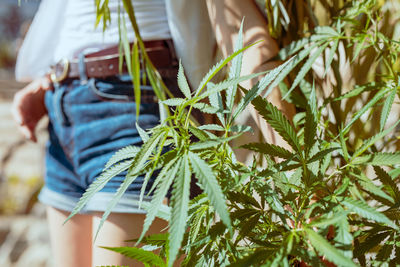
x=28 y=106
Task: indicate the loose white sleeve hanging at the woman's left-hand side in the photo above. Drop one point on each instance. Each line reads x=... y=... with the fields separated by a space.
x=37 y=51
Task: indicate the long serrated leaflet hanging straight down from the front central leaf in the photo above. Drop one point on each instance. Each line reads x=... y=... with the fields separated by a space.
x=180 y=205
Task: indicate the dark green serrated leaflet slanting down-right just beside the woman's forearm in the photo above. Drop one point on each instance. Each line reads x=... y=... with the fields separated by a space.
x=277 y=121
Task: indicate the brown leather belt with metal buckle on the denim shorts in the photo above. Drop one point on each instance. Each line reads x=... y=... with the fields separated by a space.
x=105 y=63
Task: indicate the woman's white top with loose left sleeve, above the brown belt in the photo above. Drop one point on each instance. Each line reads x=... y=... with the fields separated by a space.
x=62 y=28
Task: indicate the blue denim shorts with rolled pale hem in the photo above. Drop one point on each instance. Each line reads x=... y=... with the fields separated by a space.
x=88 y=122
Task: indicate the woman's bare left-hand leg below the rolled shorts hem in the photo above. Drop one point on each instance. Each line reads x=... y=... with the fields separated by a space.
x=72 y=242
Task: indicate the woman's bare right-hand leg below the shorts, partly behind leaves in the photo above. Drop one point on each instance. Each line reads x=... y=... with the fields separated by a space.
x=118 y=228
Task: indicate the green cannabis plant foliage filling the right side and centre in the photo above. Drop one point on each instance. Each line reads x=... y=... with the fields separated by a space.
x=330 y=195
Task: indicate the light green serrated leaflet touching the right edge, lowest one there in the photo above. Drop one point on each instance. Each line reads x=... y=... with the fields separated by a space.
x=366 y=211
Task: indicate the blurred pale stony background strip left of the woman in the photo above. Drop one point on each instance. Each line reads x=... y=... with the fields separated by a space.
x=23 y=235
